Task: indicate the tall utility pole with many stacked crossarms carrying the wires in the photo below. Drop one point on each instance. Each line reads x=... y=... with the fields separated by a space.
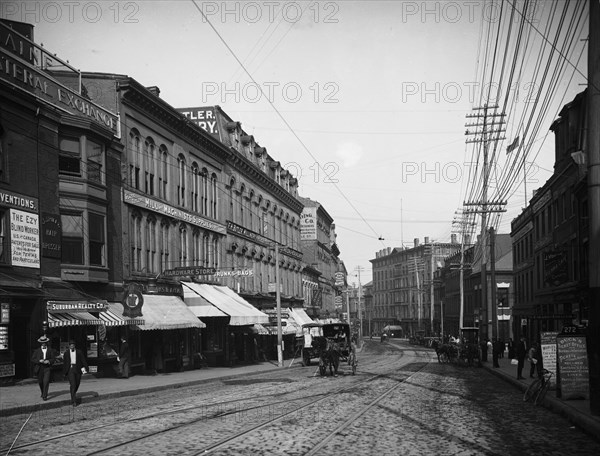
x=488 y=127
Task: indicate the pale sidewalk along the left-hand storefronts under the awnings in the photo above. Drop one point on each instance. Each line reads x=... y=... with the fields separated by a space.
x=24 y=397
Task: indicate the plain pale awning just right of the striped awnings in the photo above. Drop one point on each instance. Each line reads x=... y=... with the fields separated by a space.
x=167 y=312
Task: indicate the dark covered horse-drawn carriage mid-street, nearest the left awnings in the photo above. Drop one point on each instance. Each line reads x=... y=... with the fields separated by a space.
x=331 y=343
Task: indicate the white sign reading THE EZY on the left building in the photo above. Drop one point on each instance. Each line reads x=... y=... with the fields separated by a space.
x=24 y=239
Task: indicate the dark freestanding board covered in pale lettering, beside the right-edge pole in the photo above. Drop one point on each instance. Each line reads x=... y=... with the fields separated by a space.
x=572 y=367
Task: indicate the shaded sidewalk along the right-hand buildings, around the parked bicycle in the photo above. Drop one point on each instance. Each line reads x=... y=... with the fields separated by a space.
x=576 y=411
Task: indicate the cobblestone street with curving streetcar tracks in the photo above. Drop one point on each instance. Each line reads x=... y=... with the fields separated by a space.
x=429 y=408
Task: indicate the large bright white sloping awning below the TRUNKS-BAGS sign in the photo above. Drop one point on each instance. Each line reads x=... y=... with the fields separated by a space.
x=240 y=311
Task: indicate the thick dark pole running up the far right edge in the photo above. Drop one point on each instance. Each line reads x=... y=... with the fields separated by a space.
x=593 y=156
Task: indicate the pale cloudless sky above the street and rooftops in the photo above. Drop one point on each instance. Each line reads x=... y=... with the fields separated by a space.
x=364 y=101
